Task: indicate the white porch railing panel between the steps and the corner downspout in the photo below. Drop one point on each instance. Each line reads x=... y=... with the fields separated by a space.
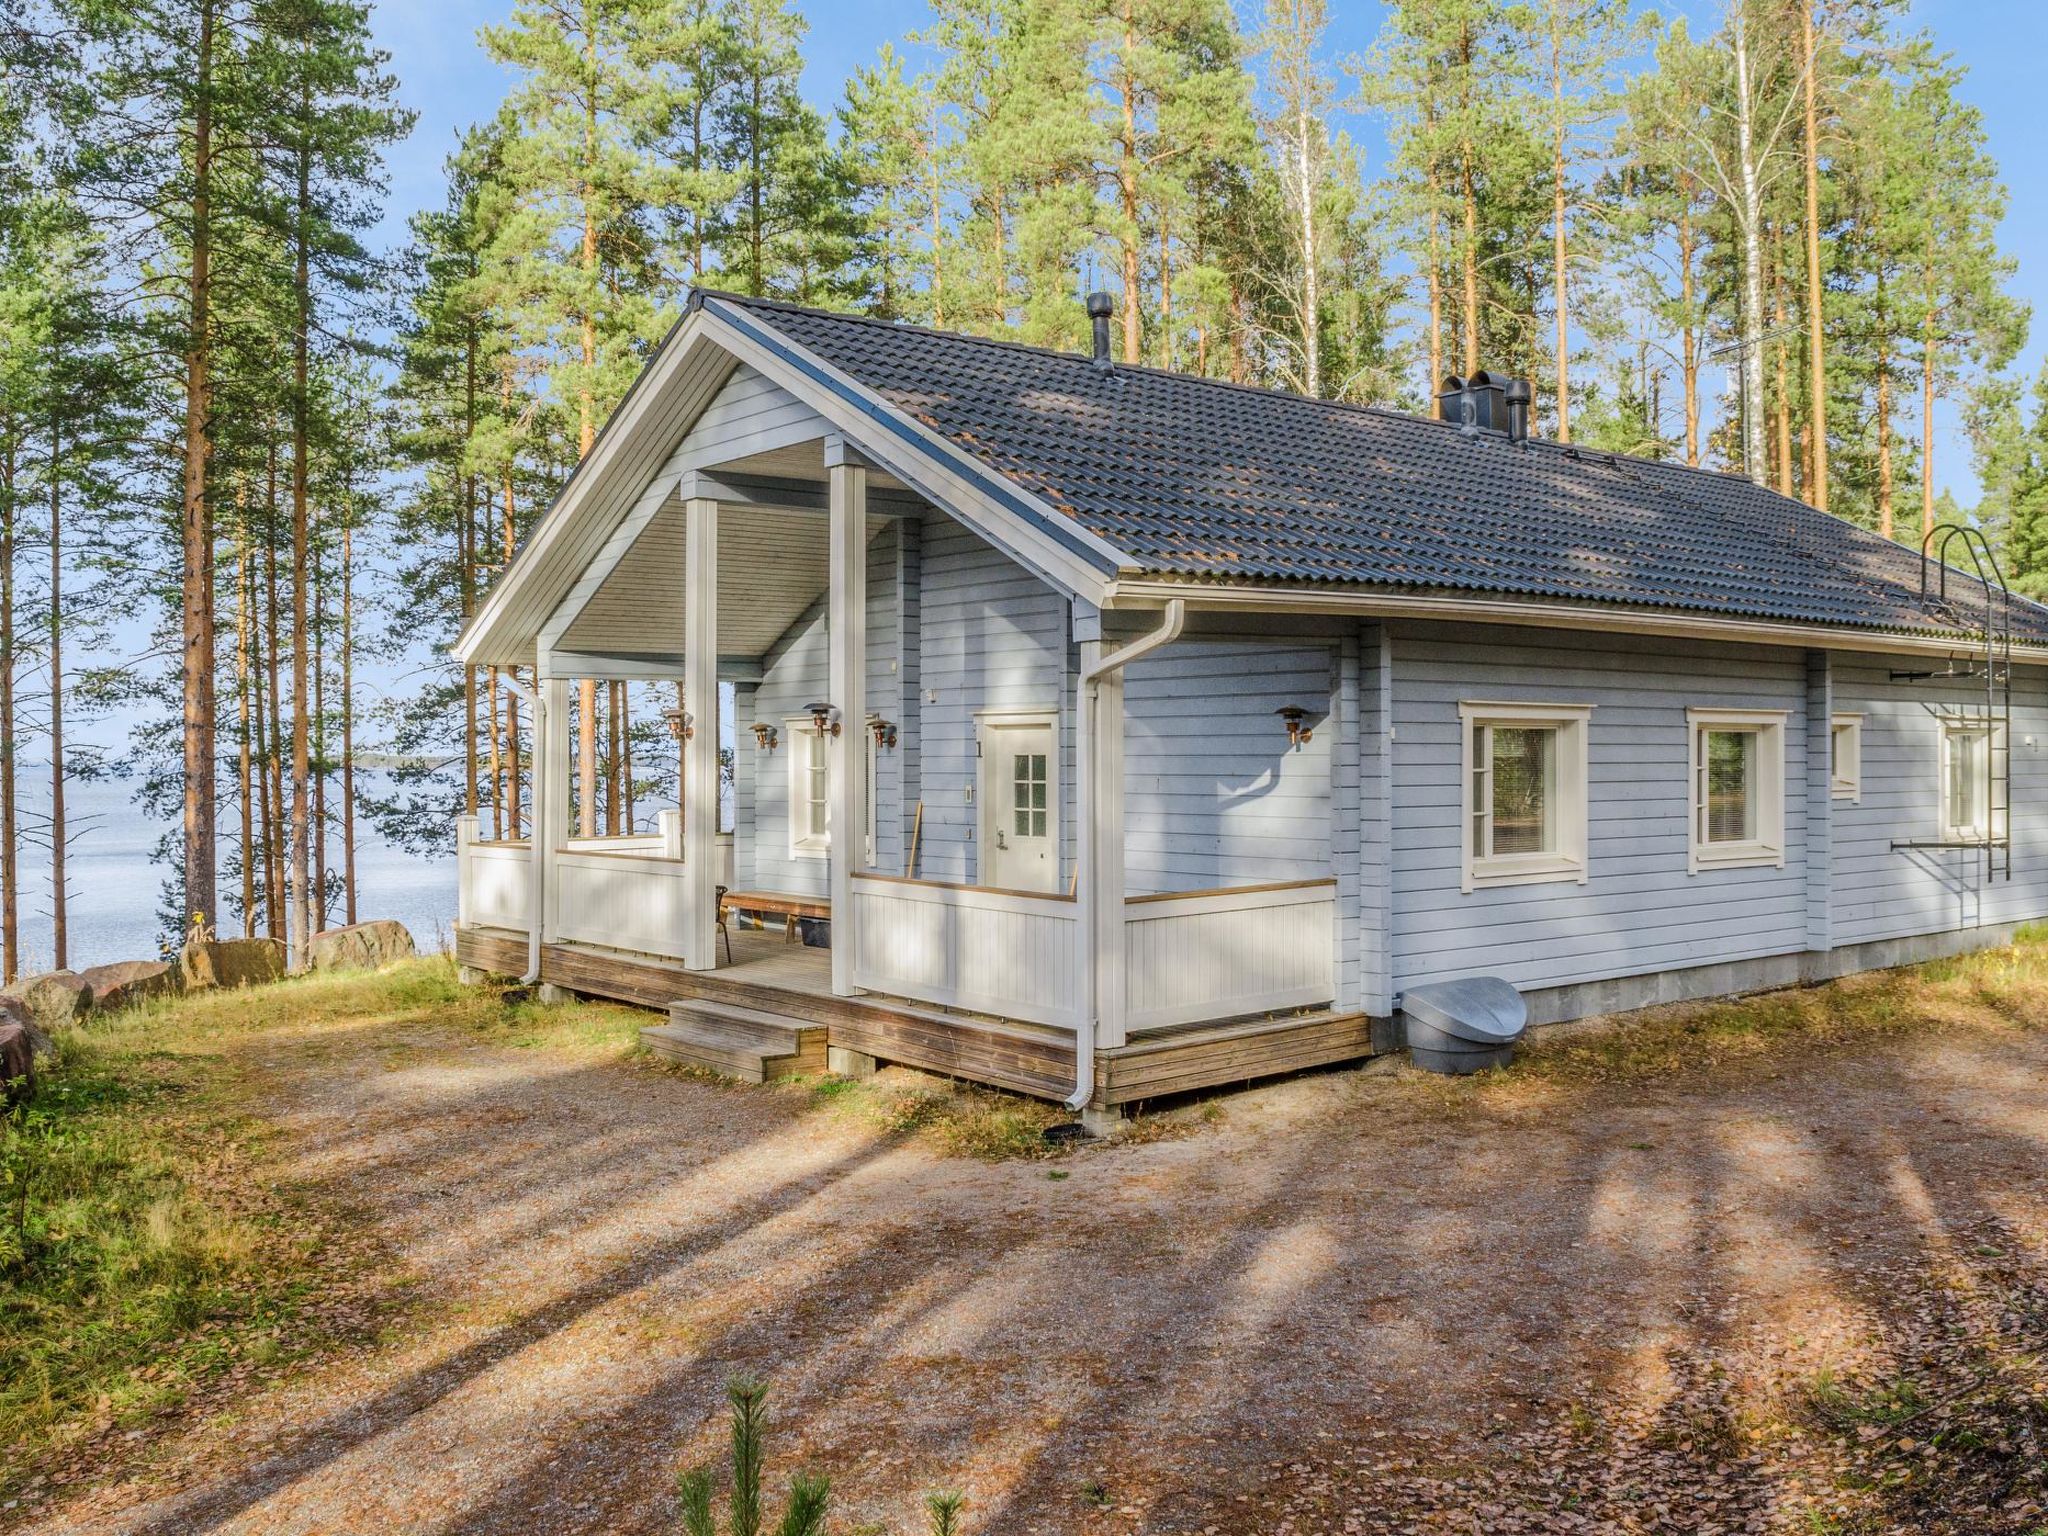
x=1009 y=953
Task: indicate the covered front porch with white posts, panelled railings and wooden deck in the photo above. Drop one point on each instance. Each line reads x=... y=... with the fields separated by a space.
x=921 y=744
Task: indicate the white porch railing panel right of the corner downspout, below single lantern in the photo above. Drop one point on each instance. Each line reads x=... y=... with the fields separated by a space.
x=1205 y=955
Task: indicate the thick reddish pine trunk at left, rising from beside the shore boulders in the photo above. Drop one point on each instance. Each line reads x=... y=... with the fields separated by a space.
x=196 y=577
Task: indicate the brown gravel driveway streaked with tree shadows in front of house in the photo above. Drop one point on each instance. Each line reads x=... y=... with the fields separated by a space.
x=1347 y=1304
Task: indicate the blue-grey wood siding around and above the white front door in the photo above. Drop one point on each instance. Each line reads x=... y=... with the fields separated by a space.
x=992 y=636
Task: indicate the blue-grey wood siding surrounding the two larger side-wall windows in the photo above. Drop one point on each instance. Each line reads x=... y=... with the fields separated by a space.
x=1639 y=910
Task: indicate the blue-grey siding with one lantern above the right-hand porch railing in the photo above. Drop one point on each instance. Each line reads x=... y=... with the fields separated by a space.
x=1213 y=792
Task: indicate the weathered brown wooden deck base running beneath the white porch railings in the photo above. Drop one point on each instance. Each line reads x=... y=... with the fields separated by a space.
x=796 y=982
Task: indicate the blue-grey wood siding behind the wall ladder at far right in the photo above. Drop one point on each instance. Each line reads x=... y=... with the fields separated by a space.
x=1891 y=894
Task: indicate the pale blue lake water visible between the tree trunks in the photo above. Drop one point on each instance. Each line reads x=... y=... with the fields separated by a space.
x=116 y=890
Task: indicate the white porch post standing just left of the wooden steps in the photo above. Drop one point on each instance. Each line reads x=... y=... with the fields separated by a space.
x=701 y=749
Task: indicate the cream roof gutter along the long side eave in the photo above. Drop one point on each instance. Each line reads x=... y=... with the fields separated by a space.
x=1541 y=615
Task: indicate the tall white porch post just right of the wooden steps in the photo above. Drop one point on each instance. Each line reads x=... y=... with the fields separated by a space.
x=847 y=622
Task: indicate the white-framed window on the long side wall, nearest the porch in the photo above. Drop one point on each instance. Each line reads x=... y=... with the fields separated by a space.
x=1525 y=794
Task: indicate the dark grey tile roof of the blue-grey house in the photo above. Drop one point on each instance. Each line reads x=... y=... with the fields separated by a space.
x=1195 y=478
